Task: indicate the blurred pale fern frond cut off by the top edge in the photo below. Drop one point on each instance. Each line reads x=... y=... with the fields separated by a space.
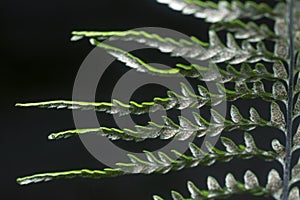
x=222 y=11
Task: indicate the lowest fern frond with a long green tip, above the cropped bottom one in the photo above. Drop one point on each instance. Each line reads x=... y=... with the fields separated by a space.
x=163 y=163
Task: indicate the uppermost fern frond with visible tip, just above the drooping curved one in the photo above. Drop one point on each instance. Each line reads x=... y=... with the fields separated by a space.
x=215 y=51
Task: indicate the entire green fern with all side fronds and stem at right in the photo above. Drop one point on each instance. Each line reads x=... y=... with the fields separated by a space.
x=248 y=65
